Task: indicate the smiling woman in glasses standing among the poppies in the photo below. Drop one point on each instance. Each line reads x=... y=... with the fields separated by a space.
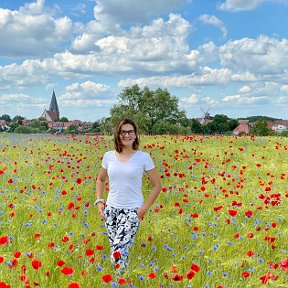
x=125 y=205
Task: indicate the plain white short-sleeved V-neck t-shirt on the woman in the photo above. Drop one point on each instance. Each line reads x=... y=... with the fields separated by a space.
x=125 y=179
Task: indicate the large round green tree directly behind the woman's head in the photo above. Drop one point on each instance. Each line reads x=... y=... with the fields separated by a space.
x=147 y=108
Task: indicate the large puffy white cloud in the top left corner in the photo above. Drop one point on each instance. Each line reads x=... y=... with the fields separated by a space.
x=32 y=31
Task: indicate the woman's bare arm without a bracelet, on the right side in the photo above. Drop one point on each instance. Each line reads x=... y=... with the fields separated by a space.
x=155 y=180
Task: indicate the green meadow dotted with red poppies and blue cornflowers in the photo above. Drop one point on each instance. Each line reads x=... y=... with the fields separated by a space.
x=219 y=221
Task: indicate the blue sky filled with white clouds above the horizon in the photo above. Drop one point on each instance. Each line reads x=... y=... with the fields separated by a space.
x=228 y=56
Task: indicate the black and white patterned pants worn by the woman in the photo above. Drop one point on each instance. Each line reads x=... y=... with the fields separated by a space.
x=122 y=226
